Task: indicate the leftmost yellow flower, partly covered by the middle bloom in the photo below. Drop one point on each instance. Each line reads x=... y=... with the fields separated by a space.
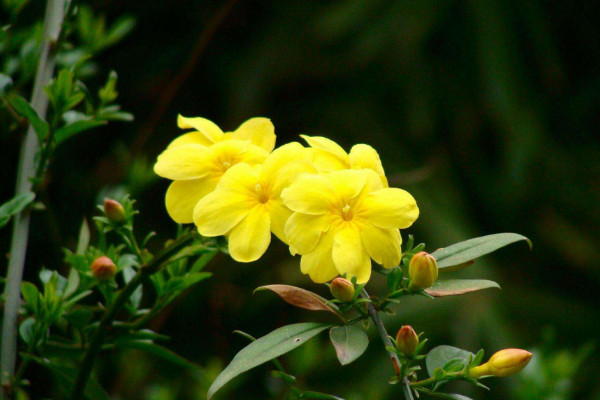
x=196 y=161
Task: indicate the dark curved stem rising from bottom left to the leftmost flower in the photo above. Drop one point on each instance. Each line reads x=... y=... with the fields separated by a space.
x=105 y=324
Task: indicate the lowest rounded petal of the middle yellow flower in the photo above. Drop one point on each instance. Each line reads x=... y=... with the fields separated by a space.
x=249 y=240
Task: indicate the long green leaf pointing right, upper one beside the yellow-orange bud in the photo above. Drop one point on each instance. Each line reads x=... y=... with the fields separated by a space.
x=471 y=249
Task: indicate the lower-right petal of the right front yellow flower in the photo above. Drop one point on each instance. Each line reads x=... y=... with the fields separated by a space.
x=383 y=245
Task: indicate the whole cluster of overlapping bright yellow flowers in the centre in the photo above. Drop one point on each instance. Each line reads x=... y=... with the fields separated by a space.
x=333 y=208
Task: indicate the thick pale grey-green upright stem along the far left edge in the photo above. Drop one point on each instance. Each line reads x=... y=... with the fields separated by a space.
x=26 y=170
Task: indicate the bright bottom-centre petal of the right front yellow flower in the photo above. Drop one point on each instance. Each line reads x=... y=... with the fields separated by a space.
x=349 y=255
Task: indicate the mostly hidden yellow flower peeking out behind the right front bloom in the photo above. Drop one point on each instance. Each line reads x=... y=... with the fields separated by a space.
x=329 y=156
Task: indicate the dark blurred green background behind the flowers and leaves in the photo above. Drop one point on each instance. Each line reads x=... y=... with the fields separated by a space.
x=486 y=111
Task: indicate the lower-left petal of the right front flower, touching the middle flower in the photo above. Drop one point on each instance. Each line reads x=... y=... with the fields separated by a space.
x=303 y=231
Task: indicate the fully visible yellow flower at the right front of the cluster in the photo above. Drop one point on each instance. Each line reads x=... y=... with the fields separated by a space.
x=343 y=219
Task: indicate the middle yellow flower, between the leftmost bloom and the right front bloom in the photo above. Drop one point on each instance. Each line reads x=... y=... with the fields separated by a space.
x=246 y=205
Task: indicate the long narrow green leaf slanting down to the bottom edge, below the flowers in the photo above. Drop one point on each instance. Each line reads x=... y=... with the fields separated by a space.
x=266 y=348
